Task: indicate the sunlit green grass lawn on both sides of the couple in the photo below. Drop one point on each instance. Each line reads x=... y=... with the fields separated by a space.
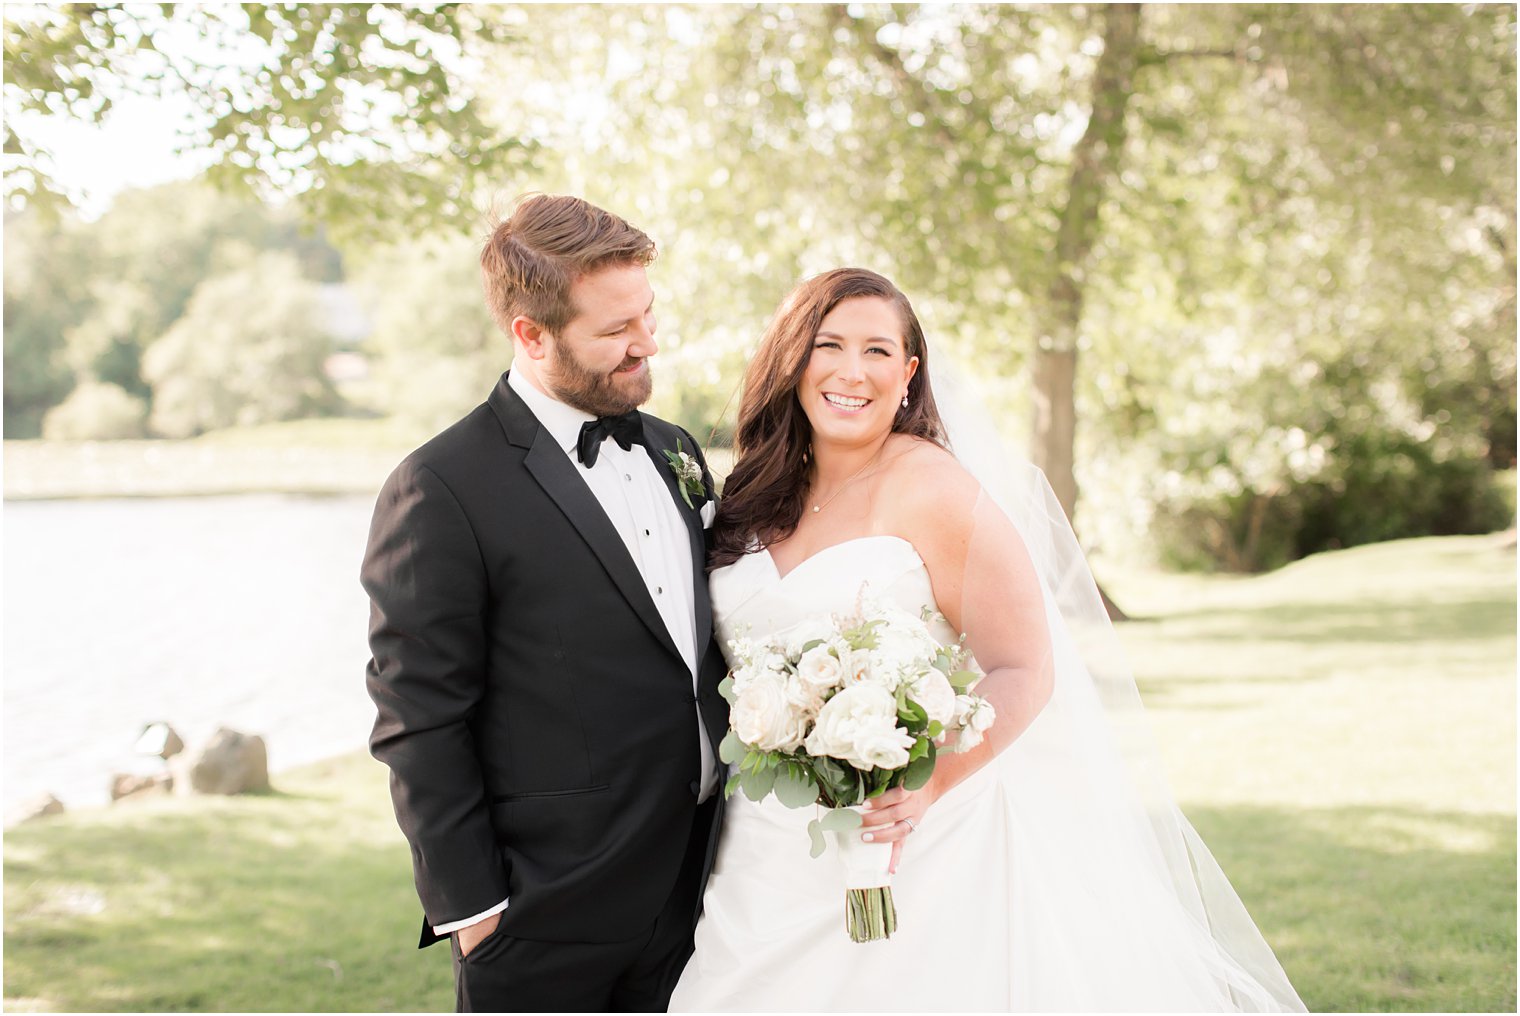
x=1341 y=732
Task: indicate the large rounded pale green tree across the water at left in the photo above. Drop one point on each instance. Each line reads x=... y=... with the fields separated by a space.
x=249 y=351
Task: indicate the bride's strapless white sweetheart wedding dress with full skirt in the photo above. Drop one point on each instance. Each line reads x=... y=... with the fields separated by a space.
x=993 y=912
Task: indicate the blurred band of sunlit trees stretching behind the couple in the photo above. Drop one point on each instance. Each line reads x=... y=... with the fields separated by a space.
x=1241 y=278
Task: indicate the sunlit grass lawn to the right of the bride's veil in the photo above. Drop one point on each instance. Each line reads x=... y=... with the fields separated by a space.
x=1343 y=734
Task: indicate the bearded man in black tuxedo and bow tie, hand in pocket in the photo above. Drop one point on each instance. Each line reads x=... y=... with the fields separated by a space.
x=545 y=668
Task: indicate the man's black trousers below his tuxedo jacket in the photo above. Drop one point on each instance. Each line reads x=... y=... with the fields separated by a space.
x=522 y=976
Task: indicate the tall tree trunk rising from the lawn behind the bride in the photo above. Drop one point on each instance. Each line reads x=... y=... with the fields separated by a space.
x=1095 y=162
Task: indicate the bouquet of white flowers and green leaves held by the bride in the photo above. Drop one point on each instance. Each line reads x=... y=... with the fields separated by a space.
x=835 y=713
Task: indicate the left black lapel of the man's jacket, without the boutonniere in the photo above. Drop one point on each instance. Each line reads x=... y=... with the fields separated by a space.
x=554 y=471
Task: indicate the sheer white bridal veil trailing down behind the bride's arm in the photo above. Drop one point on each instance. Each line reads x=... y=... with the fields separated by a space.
x=1115 y=901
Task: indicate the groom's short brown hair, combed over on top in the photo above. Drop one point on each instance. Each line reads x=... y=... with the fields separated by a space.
x=548 y=243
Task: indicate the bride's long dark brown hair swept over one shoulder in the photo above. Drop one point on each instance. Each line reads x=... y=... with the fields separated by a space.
x=764 y=495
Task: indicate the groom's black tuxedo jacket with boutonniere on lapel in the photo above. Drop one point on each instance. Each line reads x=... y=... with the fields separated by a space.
x=536 y=714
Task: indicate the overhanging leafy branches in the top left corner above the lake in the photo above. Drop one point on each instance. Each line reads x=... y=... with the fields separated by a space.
x=364 y=109
